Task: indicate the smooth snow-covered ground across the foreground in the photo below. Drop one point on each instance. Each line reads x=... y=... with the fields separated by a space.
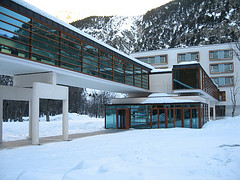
x=210 y=153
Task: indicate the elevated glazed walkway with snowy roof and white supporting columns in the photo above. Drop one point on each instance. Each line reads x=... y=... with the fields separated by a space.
x=45 y=55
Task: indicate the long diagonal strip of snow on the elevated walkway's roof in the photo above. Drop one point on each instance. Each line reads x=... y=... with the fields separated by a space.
x=37 y=10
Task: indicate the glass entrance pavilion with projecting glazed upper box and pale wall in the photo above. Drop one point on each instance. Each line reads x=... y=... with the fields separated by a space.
x=181 y=97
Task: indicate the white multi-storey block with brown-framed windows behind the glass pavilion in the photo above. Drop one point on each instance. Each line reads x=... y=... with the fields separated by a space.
x=218 y=61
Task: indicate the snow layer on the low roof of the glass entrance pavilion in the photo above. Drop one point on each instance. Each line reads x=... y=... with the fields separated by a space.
x=161 y=100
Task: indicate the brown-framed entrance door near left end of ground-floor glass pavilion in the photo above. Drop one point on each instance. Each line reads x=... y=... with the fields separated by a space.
x=123 y=119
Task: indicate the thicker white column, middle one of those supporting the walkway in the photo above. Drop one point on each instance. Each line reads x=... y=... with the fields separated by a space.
x=35 y=115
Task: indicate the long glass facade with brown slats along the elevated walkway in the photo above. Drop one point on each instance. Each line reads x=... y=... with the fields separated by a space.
x=29 y=38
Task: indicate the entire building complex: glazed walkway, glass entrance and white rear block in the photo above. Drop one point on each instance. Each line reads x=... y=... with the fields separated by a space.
x=166 y=88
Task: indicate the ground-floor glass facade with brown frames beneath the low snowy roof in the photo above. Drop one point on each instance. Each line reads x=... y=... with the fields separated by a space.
x=192 y=115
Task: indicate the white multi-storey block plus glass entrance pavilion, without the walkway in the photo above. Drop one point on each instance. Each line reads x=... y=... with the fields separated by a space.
x=188 y=86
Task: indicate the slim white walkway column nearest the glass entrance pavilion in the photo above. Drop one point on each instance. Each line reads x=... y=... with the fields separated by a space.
x=65 y=120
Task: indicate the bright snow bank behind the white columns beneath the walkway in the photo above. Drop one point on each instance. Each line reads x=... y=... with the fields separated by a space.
x=77 y=124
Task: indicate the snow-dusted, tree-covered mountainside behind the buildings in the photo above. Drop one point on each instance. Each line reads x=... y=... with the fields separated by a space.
x=176 y=24
